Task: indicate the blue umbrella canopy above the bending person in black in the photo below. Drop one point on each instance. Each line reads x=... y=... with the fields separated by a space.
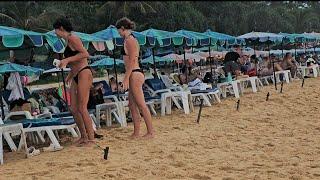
x=223 y=38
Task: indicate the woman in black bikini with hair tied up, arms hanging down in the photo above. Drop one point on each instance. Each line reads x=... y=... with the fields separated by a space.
x=134 y=78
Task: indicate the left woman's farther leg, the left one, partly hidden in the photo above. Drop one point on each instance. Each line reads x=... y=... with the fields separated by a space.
x=76 y=114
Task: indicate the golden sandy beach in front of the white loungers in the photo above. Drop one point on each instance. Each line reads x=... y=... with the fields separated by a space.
x=277 y=139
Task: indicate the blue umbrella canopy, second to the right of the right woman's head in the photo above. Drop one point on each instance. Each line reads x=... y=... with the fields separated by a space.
x=199 y=39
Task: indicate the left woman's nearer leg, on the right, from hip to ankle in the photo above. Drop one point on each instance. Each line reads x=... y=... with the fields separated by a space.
x=85 y=82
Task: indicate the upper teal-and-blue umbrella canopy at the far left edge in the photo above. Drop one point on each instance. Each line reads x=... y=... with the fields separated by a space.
x=14 y=37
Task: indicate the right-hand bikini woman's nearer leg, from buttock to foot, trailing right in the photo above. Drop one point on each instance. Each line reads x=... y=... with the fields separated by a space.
x=136 y=82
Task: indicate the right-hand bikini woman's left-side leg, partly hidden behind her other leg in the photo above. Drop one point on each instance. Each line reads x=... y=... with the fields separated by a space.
x=134 y=114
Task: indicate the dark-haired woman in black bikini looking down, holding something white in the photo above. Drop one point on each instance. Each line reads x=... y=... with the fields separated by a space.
x=80 y=77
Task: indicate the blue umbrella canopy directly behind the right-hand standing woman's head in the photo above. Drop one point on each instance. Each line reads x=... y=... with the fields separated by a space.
x=111 y=33
